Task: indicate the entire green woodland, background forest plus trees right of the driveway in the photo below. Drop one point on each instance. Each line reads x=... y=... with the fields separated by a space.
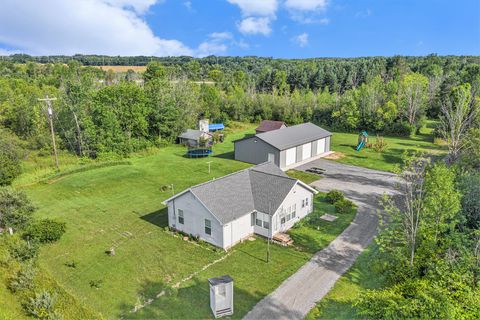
x=429 y=253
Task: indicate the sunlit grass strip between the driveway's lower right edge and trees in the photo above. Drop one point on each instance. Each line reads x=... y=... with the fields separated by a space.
x=338 y=303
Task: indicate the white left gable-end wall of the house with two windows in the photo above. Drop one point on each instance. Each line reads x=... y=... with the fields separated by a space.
x=195 y=214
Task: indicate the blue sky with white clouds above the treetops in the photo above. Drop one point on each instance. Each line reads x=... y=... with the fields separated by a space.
x=270 y=28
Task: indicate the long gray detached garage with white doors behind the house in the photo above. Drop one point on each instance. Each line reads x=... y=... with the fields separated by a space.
x=287 y=147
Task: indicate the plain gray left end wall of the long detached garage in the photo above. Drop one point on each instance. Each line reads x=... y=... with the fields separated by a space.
x=248 y=150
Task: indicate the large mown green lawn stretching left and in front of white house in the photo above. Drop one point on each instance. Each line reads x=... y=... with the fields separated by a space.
x=120 y=206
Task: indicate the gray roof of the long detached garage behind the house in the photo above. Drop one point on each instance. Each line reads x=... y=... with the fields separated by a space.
x=293 y=136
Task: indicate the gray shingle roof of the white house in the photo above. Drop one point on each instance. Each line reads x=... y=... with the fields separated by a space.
x=261 y=188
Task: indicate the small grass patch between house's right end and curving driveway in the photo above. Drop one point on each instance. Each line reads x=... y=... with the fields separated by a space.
x=312 y=233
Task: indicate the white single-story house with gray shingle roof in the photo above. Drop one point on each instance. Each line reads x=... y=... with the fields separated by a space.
x=261 y=200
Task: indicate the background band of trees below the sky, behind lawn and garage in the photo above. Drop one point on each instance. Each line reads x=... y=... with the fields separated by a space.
x=100 y=112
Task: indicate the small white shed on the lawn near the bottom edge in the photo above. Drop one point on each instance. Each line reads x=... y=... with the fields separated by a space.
x=221 y=296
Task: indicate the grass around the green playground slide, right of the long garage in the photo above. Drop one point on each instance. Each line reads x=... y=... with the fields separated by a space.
x=389 y=159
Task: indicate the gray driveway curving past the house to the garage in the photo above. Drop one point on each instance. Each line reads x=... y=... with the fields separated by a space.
x=294 y=298
